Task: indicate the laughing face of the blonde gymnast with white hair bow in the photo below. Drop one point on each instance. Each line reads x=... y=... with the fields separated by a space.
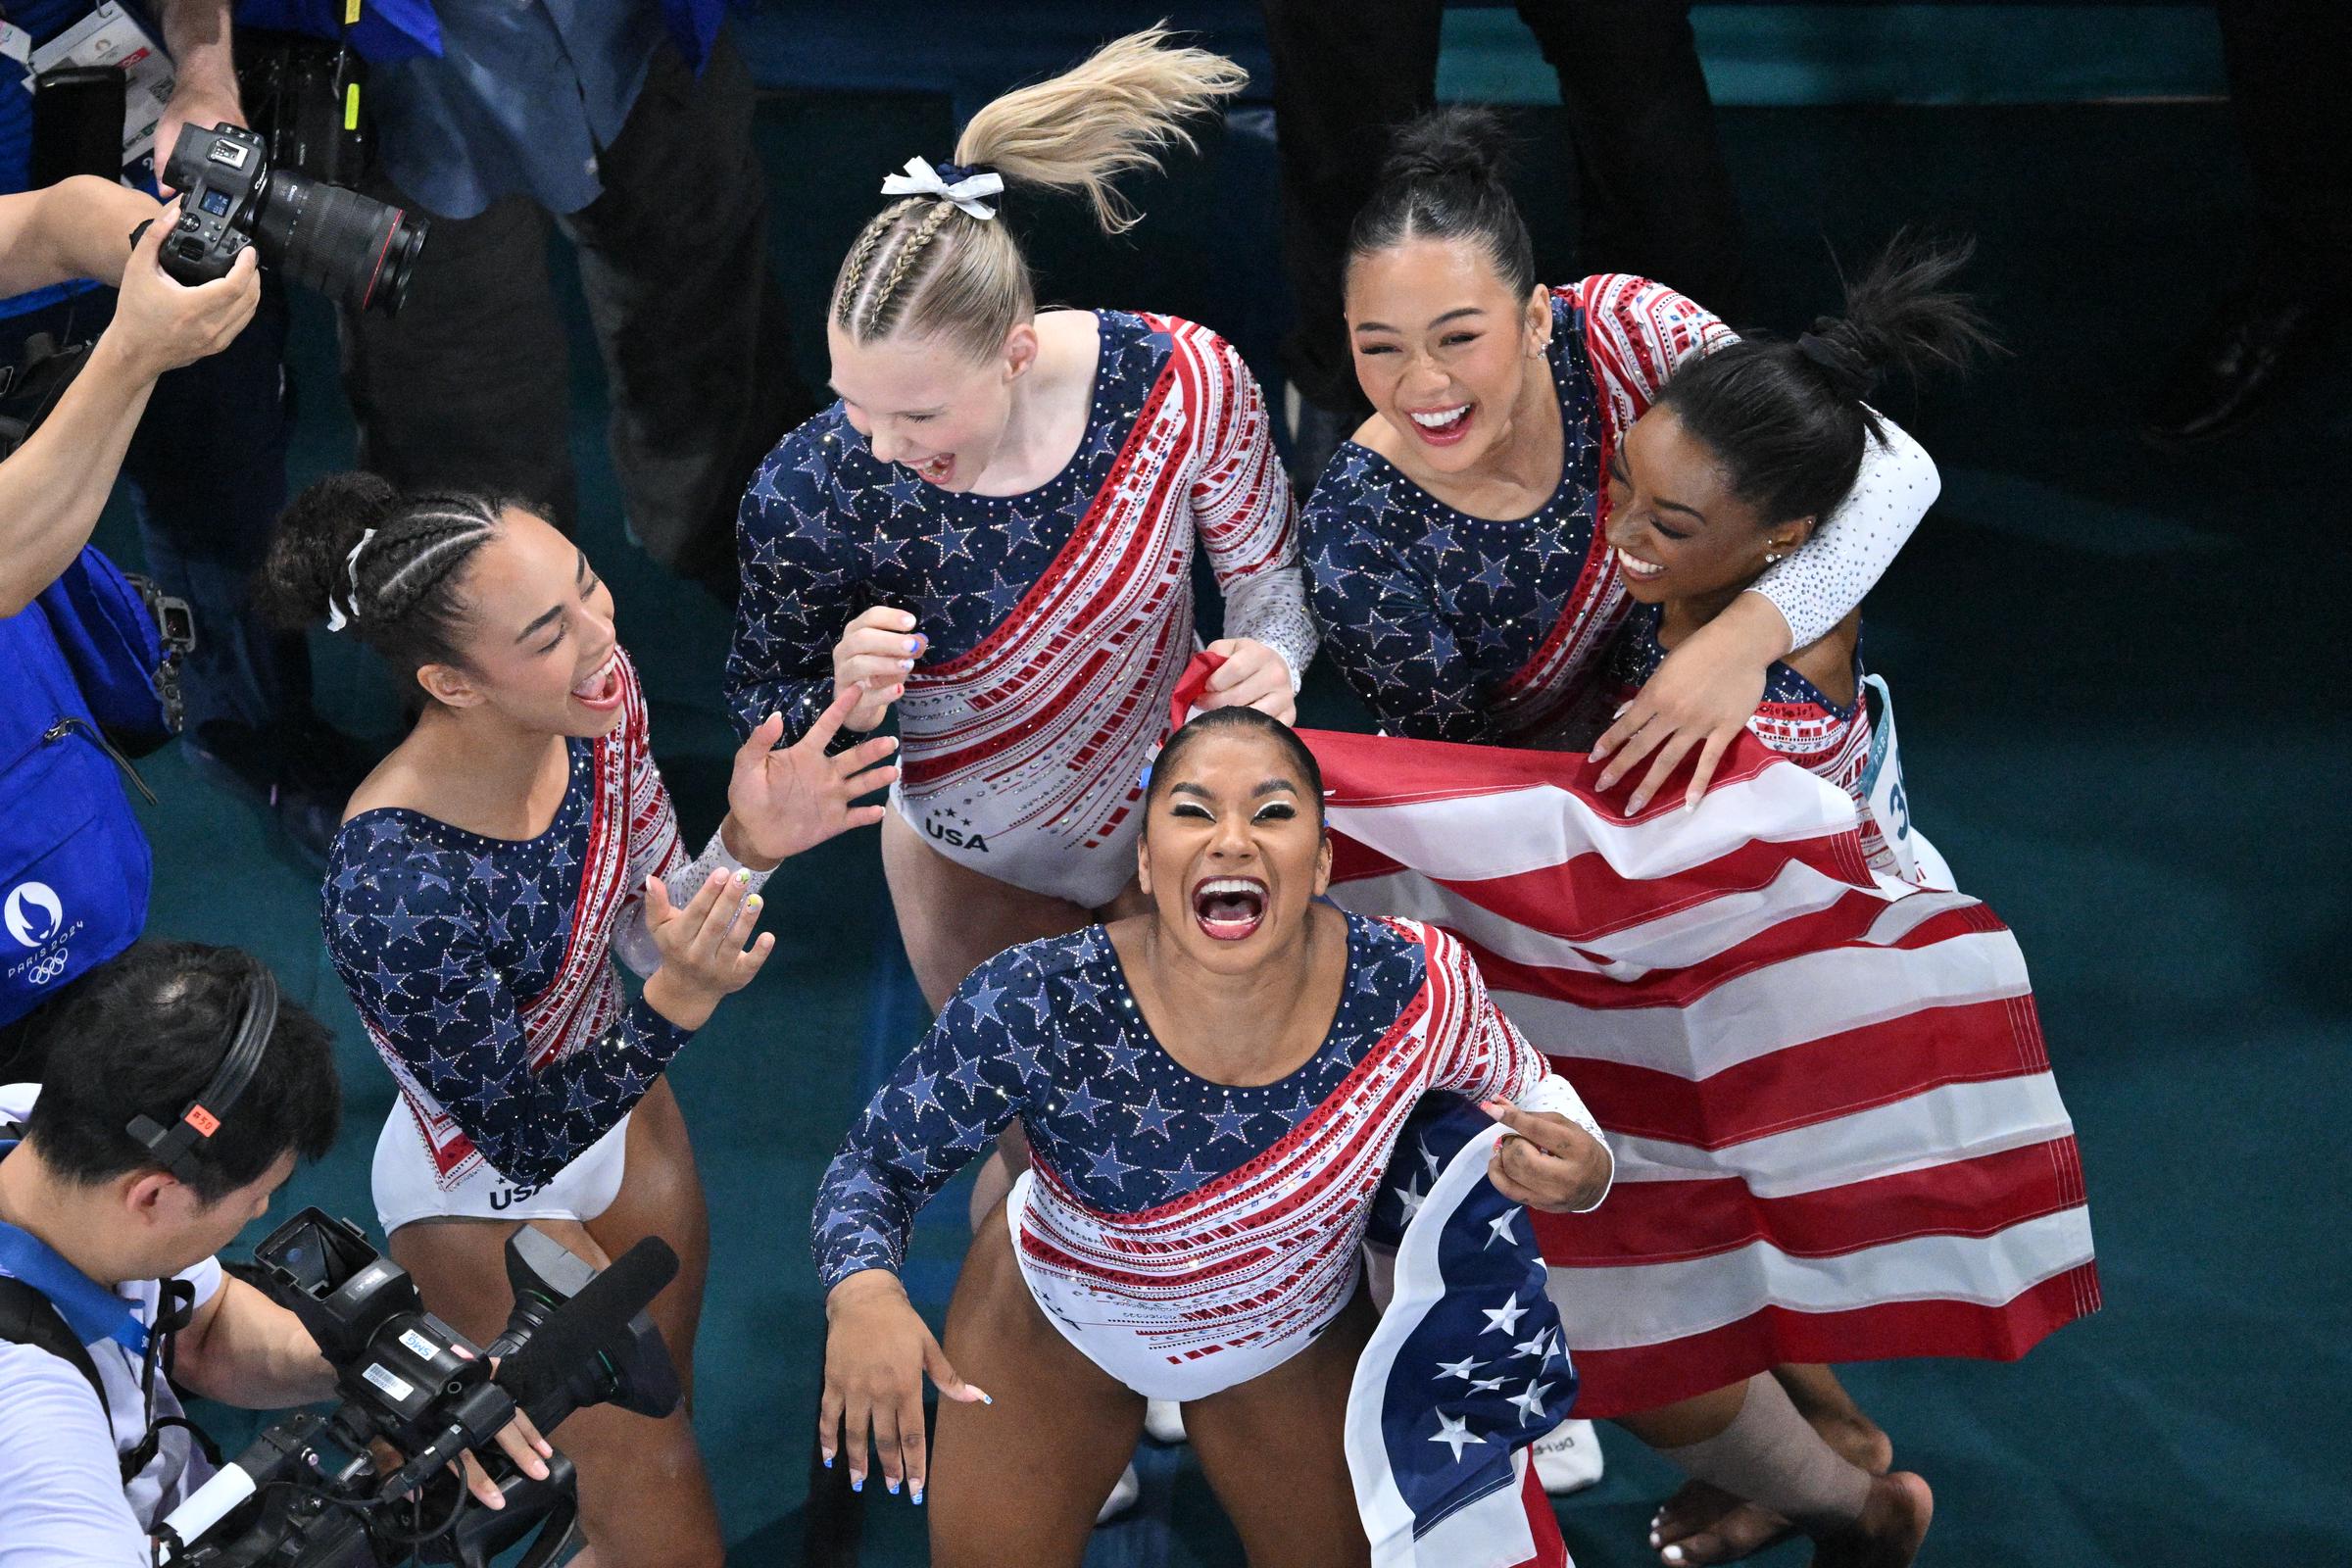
x=930 y=406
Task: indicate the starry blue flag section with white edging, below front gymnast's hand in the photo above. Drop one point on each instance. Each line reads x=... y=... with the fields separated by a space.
x=1466 y=1367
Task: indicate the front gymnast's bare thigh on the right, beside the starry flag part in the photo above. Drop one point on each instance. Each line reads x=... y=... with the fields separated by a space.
x=1276 y=1452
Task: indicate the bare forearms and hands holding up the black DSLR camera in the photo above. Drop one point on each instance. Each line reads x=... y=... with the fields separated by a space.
x=58 y=481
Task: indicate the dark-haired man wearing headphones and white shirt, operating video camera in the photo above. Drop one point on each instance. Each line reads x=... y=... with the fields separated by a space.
x=140 y=1158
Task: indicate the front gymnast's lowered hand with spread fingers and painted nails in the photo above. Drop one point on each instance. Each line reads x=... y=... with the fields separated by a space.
x=876 y=1353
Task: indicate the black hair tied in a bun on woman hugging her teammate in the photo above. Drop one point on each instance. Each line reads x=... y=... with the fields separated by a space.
x=1445 y=182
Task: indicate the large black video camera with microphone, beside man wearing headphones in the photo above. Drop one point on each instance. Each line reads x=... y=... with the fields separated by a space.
x=312 y=1492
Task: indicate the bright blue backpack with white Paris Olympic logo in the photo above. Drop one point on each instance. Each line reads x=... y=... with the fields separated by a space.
x=76 y=688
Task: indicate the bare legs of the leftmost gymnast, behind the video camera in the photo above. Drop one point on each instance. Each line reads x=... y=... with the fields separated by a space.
x=646 y=1501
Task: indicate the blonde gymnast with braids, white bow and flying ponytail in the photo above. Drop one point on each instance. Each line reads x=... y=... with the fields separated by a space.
x=991 y=532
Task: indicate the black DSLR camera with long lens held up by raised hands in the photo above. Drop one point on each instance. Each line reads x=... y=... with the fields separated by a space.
x=335 y=241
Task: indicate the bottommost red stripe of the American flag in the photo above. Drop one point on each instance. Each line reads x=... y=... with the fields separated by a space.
x=1626 y=1381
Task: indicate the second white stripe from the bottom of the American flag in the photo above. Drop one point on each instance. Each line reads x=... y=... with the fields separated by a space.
x=1927 y=1130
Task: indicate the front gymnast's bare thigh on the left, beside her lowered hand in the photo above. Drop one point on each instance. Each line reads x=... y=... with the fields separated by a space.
x=1020 y=1482
